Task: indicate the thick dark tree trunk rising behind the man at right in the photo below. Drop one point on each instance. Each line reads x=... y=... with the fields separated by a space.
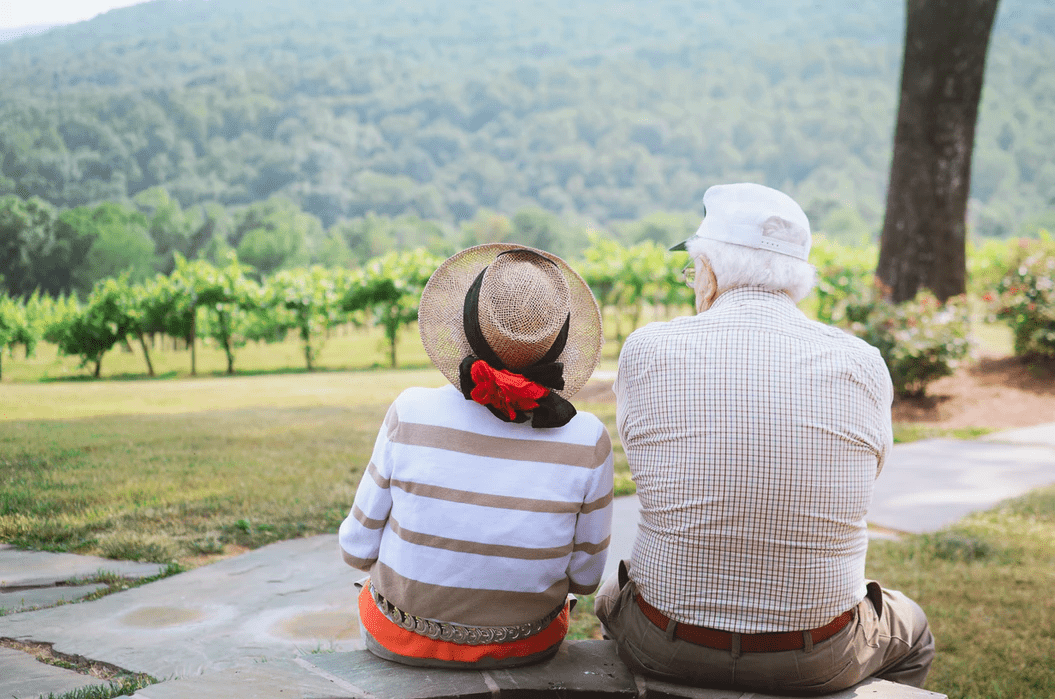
x=925 y=234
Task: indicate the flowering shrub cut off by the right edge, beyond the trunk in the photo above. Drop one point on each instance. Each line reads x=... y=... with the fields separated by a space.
x=1026 y=297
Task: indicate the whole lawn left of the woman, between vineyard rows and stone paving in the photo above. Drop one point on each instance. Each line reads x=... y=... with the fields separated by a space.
x=183 y=483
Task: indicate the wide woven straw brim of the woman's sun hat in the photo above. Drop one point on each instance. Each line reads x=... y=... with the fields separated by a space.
x=444 y=301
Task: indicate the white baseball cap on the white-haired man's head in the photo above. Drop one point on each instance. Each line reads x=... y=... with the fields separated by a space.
x=754 y=217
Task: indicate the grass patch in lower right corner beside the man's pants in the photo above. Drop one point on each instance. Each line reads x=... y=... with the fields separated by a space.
x=986 y=586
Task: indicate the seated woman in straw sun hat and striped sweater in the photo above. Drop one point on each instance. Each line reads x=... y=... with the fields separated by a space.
x=489 y=501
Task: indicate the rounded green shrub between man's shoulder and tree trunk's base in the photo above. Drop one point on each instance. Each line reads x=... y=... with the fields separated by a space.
x=922 y=340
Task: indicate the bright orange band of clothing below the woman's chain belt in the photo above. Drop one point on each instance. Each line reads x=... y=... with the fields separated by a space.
x=410 y=645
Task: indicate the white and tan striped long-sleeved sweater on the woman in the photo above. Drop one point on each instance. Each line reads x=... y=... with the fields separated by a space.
x=464 y=518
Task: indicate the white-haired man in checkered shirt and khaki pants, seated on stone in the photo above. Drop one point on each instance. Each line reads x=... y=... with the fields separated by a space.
x=755 y=436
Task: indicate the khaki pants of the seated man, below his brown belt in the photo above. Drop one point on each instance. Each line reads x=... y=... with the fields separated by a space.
x=888 y=638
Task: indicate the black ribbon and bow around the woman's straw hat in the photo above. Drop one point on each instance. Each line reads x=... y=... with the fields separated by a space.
x=552 y=411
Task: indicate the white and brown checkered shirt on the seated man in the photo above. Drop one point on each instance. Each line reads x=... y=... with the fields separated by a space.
x=755 y=437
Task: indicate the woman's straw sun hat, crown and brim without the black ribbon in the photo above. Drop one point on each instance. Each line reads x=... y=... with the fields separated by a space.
x=526 y=299
